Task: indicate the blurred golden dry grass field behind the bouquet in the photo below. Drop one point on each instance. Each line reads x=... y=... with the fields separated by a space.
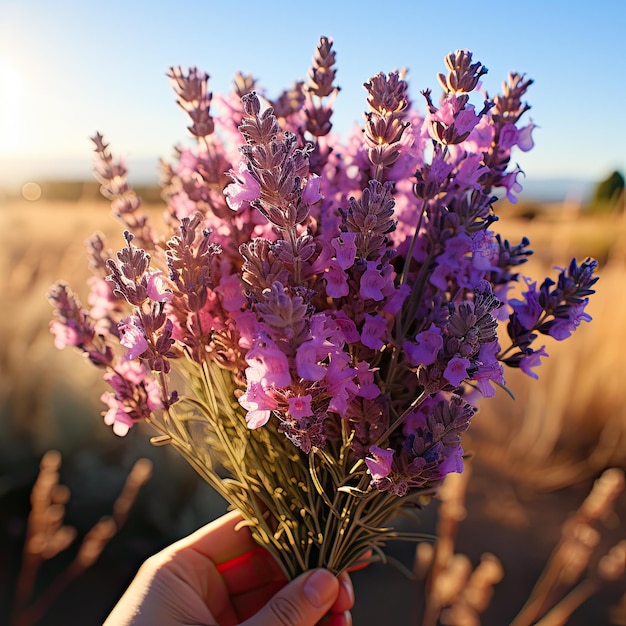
x=533 y=461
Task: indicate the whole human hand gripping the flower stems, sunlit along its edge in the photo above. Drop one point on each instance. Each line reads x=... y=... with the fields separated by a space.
x=219 y=575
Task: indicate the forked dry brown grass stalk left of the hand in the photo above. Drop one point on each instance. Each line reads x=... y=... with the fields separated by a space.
x=47 y=536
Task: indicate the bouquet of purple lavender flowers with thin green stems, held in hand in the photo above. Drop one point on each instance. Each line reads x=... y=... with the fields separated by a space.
x=311 y=330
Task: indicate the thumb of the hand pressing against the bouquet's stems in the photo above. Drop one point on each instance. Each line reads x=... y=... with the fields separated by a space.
x=302 y=602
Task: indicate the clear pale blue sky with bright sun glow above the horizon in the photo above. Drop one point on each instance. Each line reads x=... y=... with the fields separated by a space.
x=70 y=67
